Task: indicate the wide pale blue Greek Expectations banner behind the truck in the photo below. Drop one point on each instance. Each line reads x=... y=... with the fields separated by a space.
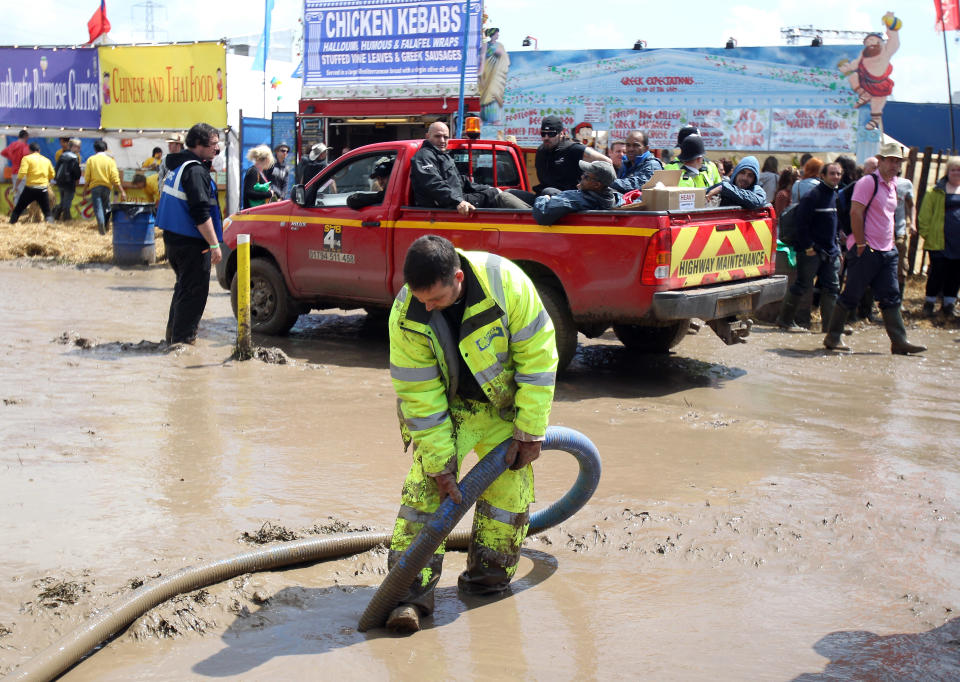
x=758 y=99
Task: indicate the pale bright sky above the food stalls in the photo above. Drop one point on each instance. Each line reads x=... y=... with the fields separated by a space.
x=919 y=70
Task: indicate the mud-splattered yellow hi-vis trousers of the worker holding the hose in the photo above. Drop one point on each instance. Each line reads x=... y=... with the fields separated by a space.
x=500 y=520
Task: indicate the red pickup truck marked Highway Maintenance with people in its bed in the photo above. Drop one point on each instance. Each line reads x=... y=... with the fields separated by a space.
x=645 y=273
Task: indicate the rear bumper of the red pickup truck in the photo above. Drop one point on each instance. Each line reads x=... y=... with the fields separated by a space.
x=710 y=303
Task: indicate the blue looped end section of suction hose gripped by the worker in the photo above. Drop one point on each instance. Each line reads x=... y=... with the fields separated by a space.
x=448 y=514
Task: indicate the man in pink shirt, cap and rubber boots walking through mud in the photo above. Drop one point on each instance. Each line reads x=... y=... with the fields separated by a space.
x=872 y=253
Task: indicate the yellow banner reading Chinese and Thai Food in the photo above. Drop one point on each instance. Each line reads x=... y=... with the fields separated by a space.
x=164 y=86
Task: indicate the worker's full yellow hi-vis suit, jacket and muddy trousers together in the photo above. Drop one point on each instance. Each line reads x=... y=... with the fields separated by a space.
x=507 y=342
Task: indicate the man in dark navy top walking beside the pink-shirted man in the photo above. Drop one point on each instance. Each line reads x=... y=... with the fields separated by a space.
x=818 y=254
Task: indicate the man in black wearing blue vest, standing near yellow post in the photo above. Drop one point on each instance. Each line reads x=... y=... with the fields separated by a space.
x=189 y=215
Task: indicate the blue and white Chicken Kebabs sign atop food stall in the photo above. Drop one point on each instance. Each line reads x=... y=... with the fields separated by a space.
x=376 y=48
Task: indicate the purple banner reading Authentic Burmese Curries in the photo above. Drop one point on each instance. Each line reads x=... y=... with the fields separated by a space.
x=53 y=88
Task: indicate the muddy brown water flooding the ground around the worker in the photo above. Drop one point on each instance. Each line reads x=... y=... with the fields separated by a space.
x=767 y=511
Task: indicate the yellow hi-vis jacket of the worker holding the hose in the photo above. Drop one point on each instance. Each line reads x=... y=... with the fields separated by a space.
x=506 y=339
